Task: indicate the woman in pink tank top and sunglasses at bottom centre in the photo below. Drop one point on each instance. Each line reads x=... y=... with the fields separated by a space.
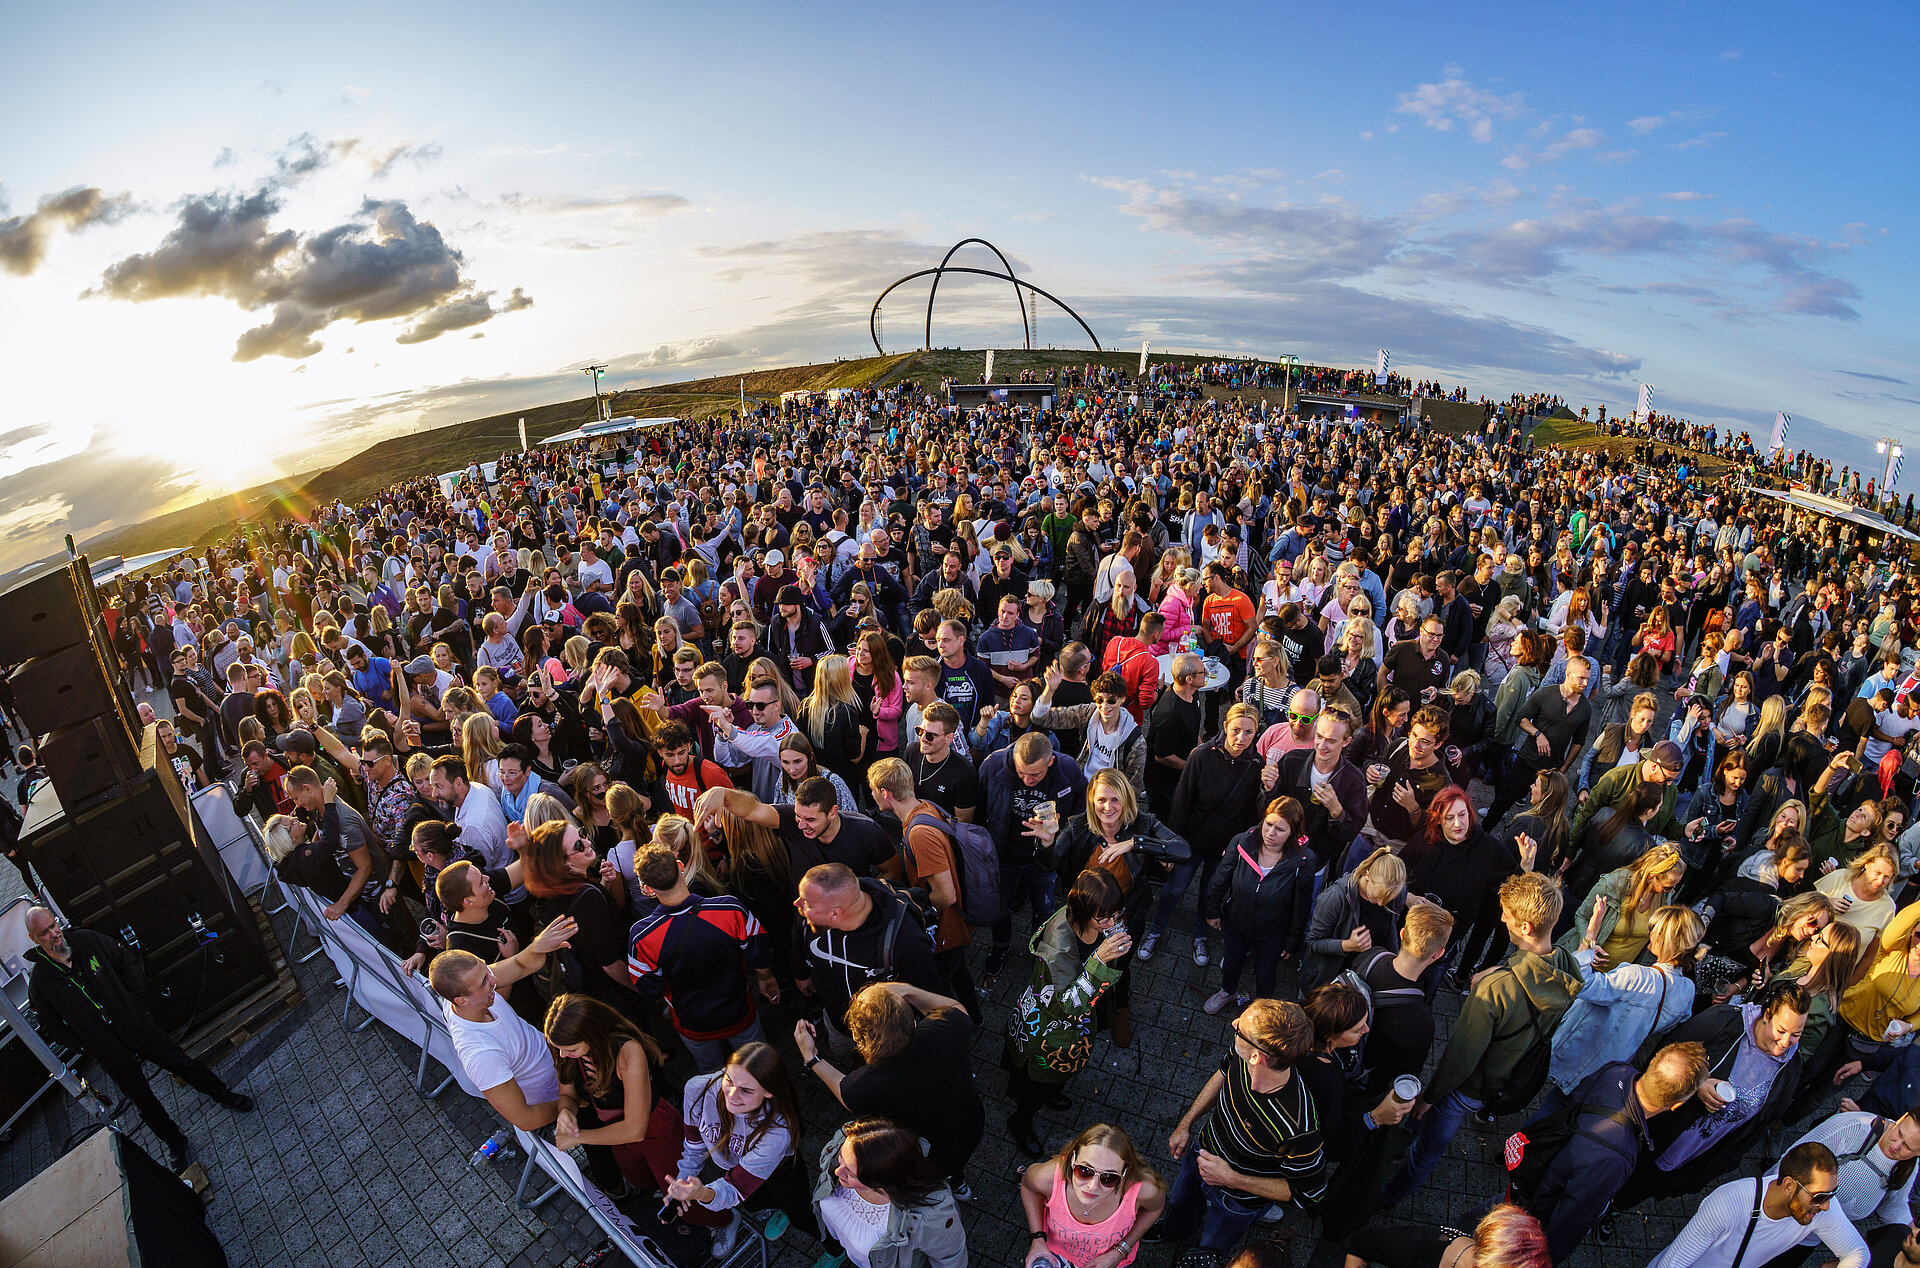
x=1092 y=1204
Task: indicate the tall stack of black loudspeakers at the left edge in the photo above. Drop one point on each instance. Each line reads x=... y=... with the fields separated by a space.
x=118 y=846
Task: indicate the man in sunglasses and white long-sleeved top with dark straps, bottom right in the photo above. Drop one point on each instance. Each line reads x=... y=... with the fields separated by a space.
x=1750 y=1223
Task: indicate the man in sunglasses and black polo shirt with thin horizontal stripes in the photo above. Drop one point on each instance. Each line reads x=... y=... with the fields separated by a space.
x=1262 y=1140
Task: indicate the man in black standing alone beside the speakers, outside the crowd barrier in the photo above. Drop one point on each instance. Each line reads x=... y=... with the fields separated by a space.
x=91 y=996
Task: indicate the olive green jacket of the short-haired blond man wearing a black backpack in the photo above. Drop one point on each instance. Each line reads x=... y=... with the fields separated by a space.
x=1500 y=1021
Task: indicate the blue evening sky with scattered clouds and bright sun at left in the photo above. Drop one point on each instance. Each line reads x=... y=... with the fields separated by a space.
x=249 y=241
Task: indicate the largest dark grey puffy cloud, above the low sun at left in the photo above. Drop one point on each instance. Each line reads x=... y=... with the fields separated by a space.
x=385 y=264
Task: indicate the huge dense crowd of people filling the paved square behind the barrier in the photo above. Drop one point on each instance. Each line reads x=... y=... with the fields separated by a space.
x=767 y=741
